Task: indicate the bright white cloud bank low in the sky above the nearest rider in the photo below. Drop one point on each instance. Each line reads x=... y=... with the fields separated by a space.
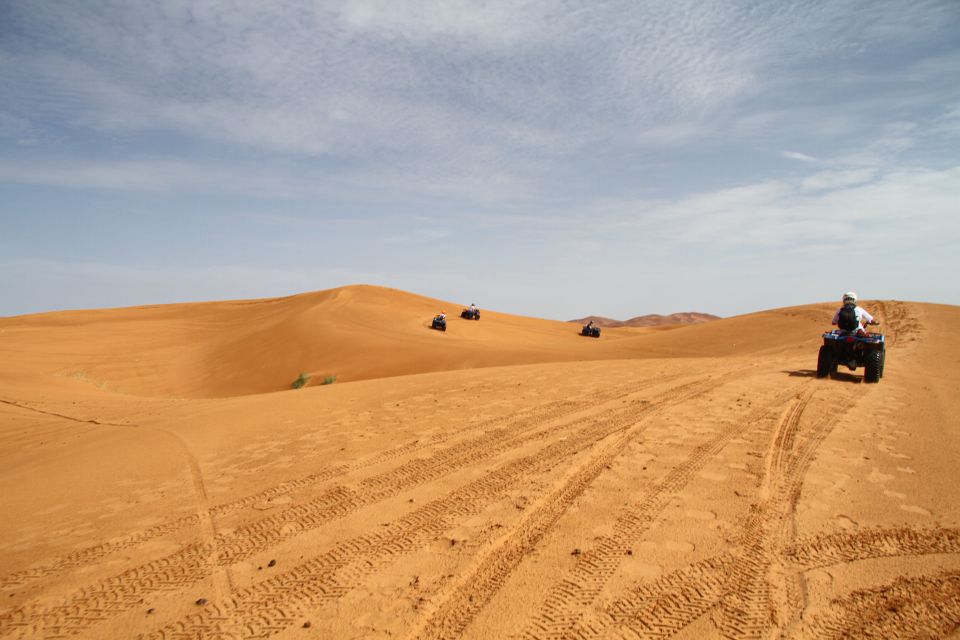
x=864 y=211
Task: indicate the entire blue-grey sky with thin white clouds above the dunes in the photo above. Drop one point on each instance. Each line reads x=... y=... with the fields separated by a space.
x=550 y=159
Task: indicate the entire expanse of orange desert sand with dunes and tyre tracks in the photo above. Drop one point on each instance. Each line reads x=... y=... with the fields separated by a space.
x=505 y=479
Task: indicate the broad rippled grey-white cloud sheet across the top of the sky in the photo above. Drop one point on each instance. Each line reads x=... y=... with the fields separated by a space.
x=369 y=74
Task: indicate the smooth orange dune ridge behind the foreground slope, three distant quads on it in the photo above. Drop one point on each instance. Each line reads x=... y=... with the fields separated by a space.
x=221 y=349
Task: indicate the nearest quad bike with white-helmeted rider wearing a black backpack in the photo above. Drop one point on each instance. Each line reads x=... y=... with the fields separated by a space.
x=851 y=345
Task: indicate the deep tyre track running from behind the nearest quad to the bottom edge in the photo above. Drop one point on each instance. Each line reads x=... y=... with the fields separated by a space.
x=752 y=588
